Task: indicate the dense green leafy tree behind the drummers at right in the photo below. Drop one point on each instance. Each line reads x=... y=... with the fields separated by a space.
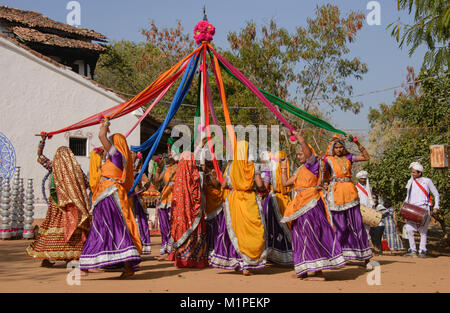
x=424 y=117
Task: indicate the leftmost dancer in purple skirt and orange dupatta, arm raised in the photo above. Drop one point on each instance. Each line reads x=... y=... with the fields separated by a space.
x=114 y=235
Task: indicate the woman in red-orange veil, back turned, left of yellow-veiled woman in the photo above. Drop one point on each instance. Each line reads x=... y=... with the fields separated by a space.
x=188 y=241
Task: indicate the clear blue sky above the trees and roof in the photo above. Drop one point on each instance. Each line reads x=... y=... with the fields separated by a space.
x=123 y=20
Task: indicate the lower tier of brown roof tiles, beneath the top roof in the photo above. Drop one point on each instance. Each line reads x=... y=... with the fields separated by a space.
x=32 y=35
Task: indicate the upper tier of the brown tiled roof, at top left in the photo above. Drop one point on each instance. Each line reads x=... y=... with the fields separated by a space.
x=37 y=20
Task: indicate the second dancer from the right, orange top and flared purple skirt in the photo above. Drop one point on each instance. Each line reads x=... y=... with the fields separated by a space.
x=314 y=243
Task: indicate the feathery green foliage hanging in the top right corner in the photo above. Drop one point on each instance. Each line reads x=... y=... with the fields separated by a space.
x=431 y=27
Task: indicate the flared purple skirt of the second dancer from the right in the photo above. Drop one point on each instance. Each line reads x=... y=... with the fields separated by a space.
x=314 y=242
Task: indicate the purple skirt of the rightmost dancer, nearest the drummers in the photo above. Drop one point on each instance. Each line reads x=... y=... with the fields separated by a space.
x=351 y=234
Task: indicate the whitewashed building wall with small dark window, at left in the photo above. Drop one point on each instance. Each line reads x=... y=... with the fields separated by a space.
x=36 y=96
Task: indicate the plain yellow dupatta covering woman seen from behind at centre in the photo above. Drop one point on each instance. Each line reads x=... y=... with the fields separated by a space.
x=245 y=215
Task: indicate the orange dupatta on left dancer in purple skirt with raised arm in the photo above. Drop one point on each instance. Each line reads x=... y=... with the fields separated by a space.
x=123 y=181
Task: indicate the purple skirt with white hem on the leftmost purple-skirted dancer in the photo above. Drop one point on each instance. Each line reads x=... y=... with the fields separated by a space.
x=109 y=241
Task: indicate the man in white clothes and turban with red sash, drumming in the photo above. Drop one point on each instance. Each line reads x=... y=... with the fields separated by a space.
x=418 y=193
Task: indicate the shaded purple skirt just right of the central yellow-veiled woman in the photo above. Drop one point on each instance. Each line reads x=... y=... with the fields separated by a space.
x=279 y=247
